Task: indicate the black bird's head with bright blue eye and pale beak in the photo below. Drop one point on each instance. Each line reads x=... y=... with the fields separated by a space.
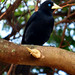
x=49 y=6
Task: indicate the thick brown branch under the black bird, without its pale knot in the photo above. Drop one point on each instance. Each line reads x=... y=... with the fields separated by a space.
x=50 y=56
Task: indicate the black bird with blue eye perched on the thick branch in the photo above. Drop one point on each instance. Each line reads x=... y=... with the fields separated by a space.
x=39 y=27
